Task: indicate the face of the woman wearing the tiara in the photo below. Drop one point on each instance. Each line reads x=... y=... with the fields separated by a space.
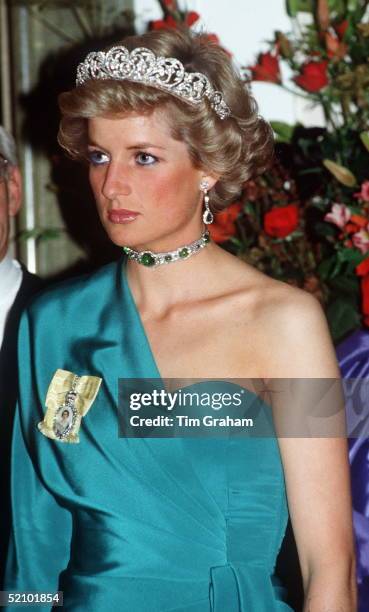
x=145 y=185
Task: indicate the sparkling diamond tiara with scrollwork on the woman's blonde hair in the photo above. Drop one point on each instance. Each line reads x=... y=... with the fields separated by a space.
x=143 y=66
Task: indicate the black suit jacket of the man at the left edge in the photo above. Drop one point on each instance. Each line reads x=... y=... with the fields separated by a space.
x=30 y=285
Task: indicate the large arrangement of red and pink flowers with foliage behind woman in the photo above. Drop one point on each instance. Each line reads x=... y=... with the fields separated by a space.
x=306 y=221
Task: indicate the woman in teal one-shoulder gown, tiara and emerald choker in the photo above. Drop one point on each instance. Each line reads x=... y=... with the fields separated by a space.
x=177 y=524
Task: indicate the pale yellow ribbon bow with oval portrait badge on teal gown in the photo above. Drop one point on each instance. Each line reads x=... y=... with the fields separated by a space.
x=69 y=398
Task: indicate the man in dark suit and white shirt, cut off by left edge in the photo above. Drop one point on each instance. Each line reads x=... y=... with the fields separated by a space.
x=17 y=285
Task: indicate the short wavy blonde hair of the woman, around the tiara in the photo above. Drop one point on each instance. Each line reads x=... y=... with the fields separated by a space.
x=236 y=149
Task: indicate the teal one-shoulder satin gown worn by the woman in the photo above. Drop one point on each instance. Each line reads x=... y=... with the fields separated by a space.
x=132 y=524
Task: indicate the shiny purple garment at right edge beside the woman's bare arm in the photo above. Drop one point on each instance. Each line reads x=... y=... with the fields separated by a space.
x=353 y=358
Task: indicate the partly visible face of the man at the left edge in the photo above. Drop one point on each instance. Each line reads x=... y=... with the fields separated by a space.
x=10 y=200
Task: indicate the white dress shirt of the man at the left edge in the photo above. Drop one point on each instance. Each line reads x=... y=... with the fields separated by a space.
x=10 y=281
